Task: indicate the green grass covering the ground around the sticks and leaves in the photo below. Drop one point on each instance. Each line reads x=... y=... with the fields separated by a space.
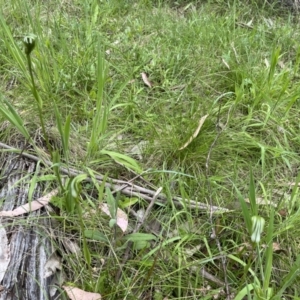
x=237 y=62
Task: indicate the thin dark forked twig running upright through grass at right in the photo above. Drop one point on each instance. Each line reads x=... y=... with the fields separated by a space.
x=207 y=173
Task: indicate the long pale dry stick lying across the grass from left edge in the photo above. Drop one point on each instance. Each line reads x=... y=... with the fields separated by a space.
x=125 y=187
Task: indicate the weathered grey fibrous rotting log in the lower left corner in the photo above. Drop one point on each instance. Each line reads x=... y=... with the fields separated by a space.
x=30 y=243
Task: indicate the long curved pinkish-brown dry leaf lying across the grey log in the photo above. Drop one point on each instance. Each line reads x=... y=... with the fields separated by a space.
x=28 y=207
